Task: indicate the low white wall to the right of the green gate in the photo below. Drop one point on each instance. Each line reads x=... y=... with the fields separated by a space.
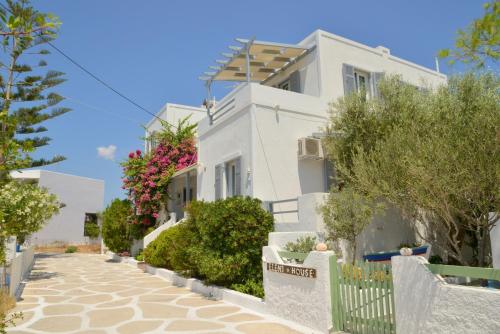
x=424 y=303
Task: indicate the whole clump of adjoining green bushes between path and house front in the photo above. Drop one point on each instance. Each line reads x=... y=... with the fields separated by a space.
x=221 y=242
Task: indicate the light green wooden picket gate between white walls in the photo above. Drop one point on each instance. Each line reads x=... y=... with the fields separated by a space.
x=362 y=297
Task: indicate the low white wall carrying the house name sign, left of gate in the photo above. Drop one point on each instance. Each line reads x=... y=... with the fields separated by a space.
x=304 y=300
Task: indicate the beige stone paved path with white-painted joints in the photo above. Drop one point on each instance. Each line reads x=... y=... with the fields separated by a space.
x=82 y=293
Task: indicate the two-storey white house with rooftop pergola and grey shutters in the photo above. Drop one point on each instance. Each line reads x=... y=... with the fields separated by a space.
x=262 y=138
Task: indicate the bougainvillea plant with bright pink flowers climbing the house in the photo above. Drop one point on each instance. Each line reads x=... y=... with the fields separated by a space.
x=147 y=176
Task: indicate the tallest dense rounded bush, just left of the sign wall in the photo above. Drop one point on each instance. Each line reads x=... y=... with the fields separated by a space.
x=231 y=235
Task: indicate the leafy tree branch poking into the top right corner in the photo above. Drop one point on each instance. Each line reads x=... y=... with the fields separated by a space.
x=480 y=41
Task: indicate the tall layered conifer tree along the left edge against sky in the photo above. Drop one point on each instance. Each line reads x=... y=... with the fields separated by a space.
x=27 y=99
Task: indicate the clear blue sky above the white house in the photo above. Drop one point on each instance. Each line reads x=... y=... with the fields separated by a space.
x=153 y=51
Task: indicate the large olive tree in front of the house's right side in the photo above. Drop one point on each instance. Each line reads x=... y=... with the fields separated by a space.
x=433 y=153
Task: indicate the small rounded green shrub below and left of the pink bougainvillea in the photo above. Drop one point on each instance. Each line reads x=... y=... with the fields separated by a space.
x=117 y=230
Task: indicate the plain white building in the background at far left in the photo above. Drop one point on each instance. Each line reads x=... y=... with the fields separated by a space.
x=82 y=199
